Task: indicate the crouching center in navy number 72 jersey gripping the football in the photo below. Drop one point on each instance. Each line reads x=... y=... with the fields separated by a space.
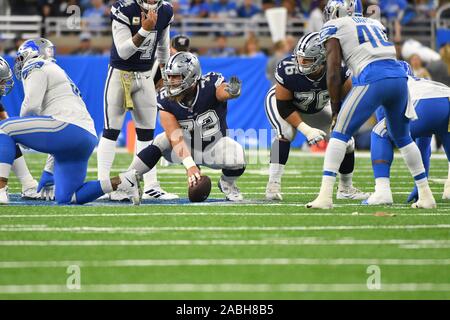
x=193 y=110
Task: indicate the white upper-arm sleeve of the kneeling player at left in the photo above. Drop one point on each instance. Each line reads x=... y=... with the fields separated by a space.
x=35 y=86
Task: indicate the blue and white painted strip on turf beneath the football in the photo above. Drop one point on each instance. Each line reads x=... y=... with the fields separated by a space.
x=16 y=200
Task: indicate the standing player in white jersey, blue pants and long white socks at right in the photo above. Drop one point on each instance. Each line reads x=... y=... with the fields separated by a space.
x=378 y=79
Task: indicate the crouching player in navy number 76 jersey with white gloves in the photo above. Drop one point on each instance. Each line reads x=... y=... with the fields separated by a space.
x=300 y=101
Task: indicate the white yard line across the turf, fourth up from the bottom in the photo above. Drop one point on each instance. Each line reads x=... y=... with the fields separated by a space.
x=88 y=229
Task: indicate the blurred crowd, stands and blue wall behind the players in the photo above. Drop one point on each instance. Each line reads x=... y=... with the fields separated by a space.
x=232 y=37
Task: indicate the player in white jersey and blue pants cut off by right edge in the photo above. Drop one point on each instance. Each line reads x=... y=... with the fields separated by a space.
x=432 y=102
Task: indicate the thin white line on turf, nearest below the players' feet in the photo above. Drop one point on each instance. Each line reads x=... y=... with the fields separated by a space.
x=208 y=214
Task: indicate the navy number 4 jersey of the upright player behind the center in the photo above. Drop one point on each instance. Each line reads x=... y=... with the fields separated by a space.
x=128 y=12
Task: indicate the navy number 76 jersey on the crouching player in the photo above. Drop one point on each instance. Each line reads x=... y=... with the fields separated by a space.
x=309 y=96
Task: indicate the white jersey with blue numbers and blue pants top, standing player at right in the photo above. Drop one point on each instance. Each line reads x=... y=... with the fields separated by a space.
x=363 y=42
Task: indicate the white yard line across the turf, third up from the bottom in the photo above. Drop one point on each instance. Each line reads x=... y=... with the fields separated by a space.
x=402 y=243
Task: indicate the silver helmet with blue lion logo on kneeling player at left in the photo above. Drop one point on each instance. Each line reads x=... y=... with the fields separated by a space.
x=32 y=49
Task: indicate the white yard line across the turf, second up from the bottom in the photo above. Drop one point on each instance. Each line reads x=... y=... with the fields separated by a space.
x=221 y=262
